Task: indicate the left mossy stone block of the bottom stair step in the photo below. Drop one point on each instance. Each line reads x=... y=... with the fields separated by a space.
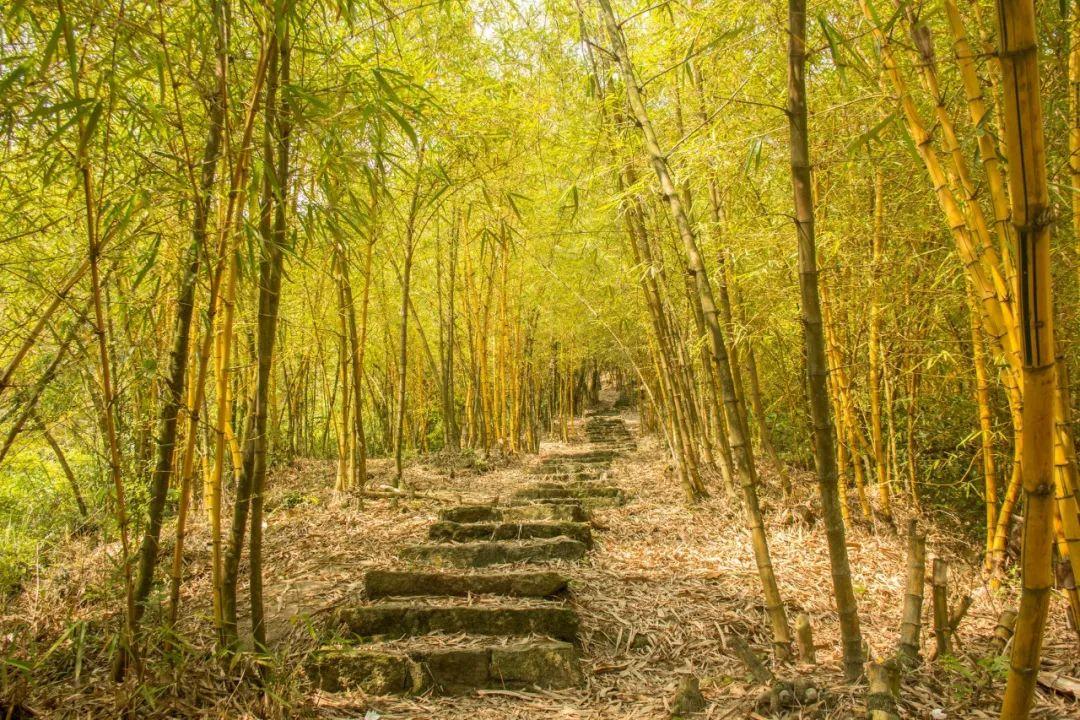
x=376 y=673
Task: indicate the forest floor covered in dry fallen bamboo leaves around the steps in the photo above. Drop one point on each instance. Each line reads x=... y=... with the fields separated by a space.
x=660 y=596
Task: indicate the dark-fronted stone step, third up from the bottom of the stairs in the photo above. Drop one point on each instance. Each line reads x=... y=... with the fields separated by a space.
x=395 y=583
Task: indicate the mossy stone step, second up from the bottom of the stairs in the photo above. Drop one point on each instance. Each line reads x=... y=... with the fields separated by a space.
x=398 y=620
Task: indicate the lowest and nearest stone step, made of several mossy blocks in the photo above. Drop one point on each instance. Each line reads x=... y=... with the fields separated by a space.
x=390 y=671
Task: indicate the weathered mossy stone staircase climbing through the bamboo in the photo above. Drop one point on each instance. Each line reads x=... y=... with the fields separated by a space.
x=485 y=603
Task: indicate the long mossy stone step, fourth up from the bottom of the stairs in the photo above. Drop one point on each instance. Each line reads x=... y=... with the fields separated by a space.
x=489 y=553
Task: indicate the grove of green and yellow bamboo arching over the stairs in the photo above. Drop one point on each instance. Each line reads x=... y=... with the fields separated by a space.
x=242 y=236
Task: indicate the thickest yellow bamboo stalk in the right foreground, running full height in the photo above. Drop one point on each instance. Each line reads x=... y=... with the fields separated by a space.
x=1031 y=205
